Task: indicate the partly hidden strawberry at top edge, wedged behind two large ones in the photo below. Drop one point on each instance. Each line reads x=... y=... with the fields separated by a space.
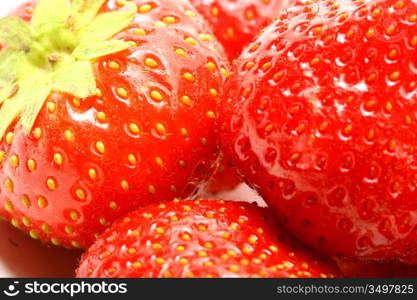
x=236 y=22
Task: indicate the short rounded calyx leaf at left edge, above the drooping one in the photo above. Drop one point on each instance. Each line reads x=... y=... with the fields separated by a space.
x=15 y=33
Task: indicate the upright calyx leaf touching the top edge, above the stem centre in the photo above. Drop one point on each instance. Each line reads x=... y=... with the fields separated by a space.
x=51 y=14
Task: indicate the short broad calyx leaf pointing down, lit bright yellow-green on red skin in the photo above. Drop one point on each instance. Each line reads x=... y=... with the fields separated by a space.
x=76 y=79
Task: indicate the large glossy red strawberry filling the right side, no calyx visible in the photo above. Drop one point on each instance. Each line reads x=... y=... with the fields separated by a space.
x=320 y=117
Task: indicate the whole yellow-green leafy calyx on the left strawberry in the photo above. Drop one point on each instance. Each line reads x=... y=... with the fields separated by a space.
x=54 y=53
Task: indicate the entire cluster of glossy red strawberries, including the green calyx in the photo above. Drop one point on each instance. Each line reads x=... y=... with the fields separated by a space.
x=113 y=110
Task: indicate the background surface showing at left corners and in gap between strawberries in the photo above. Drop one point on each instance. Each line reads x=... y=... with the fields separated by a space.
x=21 y=256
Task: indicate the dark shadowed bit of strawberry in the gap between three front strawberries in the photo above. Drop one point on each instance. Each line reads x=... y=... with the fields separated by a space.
x=225 y=178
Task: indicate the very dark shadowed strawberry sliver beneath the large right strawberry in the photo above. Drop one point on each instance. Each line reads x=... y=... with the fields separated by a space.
x=381 y=269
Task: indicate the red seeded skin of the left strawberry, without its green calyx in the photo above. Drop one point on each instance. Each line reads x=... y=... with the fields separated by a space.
x=68 y=179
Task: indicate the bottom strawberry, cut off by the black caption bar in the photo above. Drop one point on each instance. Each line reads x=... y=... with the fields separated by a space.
x=199 y=239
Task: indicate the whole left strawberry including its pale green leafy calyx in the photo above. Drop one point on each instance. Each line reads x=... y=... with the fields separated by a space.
x=97 y=101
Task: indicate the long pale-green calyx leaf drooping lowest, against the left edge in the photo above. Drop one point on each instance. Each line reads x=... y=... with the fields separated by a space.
x=27 y=102
